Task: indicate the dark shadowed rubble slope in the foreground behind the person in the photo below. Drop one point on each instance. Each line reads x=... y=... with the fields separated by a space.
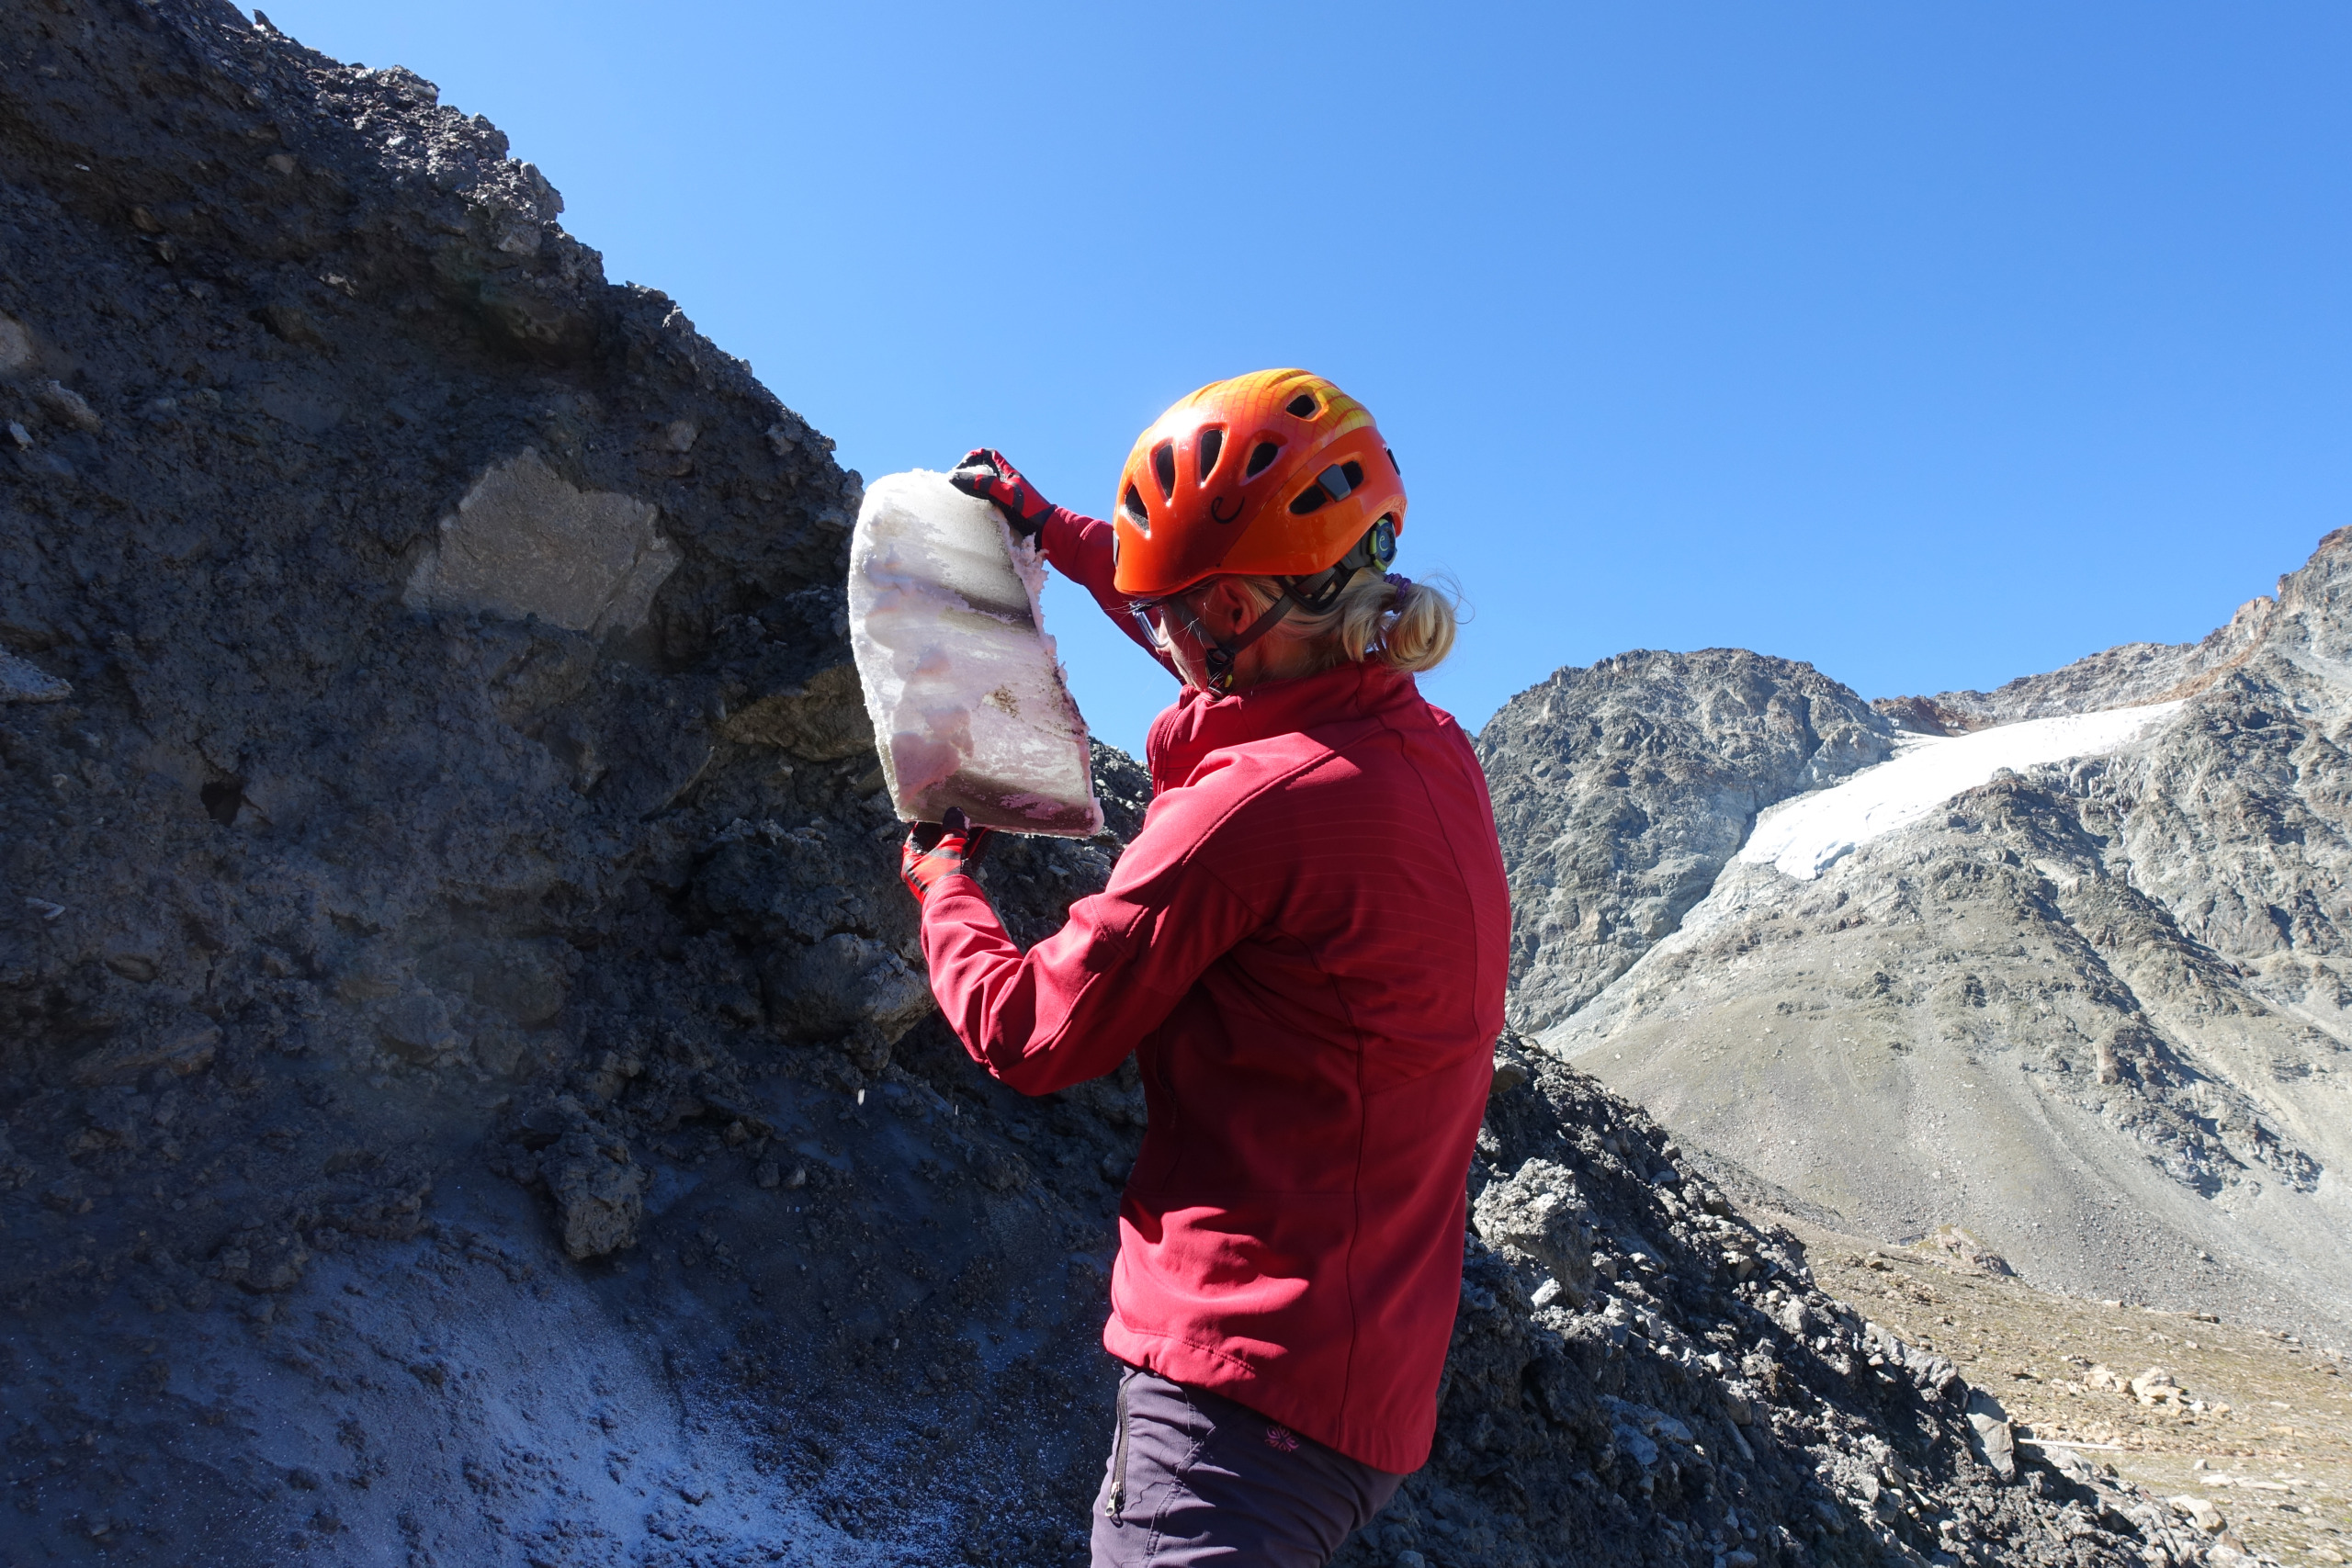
x=467 y=1090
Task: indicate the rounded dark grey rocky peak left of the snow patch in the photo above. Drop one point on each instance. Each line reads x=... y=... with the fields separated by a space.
x=1622 y=791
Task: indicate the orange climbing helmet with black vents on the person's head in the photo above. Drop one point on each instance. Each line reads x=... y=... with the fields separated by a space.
x=1274 y=474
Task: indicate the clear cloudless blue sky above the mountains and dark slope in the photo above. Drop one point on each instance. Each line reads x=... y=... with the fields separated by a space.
x=1932 y=344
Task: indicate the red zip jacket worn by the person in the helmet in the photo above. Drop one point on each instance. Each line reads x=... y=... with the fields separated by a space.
x=1307 y=951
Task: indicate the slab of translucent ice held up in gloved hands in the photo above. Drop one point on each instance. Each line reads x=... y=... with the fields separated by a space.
x=968 y=699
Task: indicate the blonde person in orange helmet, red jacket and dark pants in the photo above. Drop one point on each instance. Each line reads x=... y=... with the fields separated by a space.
x=1304 y=949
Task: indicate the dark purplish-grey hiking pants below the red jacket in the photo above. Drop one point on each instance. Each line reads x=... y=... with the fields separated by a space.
x=1201 y=1480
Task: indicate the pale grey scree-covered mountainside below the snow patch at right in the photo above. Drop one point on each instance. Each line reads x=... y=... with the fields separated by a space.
x=2097 y=1012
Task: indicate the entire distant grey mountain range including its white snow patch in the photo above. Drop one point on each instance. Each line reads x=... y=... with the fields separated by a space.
x=2076 y=970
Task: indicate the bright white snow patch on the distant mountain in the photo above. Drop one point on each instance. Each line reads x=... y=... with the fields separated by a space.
x=1805 y=836
